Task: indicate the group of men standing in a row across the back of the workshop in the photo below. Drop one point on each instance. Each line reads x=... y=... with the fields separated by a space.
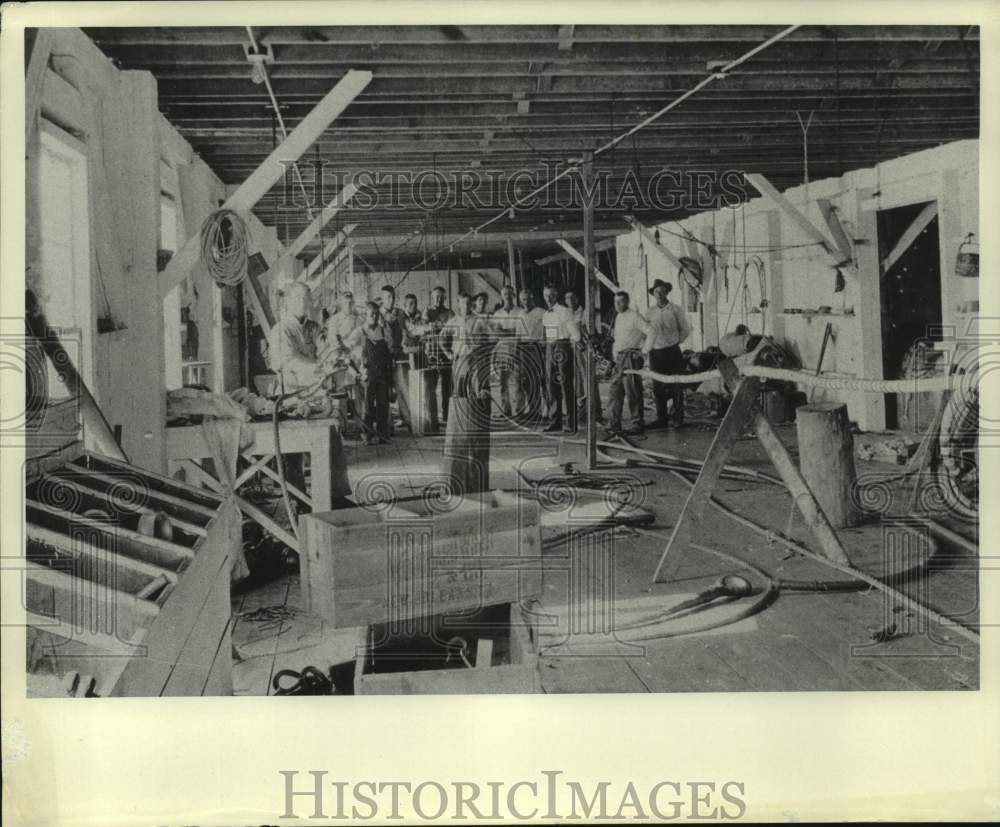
x=536 y=354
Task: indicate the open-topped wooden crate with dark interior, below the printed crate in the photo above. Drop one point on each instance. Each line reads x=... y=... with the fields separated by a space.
x=502 y=655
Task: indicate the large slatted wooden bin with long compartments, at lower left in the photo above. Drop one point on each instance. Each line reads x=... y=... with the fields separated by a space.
x=143 y=616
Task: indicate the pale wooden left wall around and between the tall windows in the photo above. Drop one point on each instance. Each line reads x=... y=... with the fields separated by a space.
x=115 y=115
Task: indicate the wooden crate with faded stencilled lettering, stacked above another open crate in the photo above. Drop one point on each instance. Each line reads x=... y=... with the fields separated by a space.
x=419 y=557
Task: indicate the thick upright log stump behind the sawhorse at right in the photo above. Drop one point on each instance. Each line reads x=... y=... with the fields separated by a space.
x=826 y=459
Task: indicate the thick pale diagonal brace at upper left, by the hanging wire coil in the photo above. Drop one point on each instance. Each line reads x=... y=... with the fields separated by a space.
x=272 y=169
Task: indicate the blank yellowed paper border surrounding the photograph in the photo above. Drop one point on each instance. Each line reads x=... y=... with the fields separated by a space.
x=216 y=761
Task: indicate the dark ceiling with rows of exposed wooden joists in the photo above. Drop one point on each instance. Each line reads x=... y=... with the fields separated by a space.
x=480 y=100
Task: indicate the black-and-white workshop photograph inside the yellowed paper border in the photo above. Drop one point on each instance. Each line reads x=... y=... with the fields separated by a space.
x=498 y=358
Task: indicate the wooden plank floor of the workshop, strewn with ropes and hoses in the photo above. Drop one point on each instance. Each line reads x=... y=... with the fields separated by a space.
x=804 y=641
